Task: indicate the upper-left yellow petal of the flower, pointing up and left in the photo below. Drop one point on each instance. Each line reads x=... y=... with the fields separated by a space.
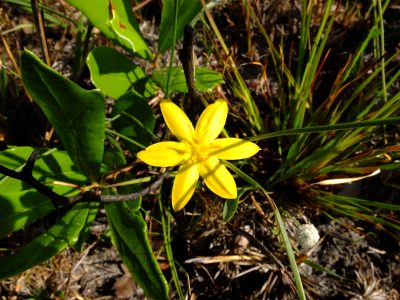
x=177 y=121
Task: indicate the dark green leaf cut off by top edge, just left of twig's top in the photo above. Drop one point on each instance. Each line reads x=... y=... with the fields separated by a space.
x=187 y=11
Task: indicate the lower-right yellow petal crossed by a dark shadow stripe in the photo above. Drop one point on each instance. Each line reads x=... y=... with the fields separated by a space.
x=217 y=178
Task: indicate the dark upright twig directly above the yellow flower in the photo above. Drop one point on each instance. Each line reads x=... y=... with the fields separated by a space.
x=186 y=56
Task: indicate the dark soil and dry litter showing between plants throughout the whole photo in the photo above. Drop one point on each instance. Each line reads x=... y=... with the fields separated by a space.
x=241 y=259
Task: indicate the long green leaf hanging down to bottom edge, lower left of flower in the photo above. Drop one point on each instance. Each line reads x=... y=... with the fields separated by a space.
x=129 y=233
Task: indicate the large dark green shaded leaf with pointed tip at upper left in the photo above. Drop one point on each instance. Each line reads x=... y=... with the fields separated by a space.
x=77 y=115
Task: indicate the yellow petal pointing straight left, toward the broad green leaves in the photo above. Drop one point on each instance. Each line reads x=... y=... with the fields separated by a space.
x=164 y=154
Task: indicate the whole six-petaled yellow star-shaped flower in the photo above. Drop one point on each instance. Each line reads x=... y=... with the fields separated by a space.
x=199 y=151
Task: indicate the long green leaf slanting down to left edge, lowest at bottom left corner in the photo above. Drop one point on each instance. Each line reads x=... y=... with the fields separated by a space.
x=64 y=233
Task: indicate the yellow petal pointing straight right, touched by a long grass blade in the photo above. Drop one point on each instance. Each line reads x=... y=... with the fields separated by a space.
x=232 y=148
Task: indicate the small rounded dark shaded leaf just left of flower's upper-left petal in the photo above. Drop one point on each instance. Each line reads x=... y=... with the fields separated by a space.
x=136 y=120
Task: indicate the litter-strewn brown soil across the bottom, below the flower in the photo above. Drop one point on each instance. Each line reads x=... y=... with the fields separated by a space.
x=241 y=259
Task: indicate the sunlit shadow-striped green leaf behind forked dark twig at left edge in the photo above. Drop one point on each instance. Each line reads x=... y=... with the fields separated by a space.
x=20 y=204
